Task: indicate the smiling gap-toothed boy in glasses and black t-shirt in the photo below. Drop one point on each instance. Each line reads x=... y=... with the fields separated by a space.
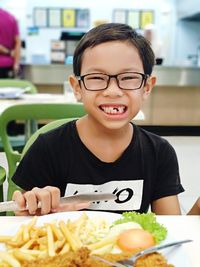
x=104 y=151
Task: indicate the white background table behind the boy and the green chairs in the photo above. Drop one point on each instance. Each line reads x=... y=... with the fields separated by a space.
x=47 y=98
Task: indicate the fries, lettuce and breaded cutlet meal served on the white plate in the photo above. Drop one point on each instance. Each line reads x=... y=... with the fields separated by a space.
x=67 y=243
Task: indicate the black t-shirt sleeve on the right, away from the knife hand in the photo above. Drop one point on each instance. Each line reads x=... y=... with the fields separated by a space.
x=167 y=182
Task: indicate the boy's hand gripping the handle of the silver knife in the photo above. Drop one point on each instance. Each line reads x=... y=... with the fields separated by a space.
x=49 y=197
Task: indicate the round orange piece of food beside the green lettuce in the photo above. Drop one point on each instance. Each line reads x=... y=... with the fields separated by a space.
x=133 y=239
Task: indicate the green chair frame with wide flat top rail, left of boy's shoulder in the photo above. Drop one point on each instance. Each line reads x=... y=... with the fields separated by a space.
x=36 y=111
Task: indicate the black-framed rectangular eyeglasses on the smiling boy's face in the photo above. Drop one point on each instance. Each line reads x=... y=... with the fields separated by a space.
x=125 y=81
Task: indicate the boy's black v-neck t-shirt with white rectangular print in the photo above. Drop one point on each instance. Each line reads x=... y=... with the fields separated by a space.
x=147 y=170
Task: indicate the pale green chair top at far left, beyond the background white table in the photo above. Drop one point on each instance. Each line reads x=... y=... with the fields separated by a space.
x=31 y=88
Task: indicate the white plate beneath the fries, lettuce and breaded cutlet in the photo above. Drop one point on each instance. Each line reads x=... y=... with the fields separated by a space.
x=174 y=255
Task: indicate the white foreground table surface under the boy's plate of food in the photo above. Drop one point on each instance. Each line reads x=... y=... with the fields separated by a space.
x=181 y=227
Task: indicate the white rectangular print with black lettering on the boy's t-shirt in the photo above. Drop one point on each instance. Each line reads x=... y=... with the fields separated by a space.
x=129 y=194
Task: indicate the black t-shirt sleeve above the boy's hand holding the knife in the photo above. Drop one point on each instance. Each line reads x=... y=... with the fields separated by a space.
x=35 y=169
